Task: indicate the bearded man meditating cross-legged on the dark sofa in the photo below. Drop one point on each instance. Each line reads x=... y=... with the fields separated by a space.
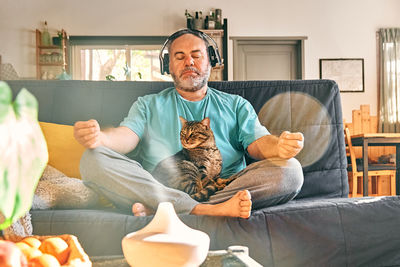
x=152 y=126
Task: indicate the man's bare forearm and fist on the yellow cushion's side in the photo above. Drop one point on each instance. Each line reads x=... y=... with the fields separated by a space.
x=120 y=139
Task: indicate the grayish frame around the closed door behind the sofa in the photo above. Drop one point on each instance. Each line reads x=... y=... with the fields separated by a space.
x=299 y=41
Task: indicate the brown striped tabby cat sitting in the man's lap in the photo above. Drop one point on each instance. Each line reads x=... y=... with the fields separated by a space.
x=195 y=169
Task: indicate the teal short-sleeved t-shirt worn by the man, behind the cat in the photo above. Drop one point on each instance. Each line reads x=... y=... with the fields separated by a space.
x=155 y=119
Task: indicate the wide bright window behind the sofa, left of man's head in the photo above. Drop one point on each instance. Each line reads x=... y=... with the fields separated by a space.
x=117 y=58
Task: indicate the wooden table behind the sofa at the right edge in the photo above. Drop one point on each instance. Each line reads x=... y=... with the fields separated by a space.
x=377 y=139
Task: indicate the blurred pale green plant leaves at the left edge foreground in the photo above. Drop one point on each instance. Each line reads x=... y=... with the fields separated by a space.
x=23 y=153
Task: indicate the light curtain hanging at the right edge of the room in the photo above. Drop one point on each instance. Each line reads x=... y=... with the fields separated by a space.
x=389 y=106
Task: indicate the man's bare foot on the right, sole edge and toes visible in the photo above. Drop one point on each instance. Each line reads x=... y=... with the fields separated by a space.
x=237 y=206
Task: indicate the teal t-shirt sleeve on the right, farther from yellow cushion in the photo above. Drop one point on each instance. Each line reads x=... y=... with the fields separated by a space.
x=250 y=128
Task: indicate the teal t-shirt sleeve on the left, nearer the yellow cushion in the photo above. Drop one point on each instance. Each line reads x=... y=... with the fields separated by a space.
x=136 y=119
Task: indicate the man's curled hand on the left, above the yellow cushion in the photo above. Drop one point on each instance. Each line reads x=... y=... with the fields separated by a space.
x=88 y=133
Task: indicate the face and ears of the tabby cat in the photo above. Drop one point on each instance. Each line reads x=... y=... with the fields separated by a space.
x=195 y=133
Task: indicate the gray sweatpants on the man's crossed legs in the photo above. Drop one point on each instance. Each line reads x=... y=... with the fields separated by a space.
x=124 y=182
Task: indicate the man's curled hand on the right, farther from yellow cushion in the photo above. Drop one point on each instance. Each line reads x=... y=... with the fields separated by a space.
x=290 y=144
